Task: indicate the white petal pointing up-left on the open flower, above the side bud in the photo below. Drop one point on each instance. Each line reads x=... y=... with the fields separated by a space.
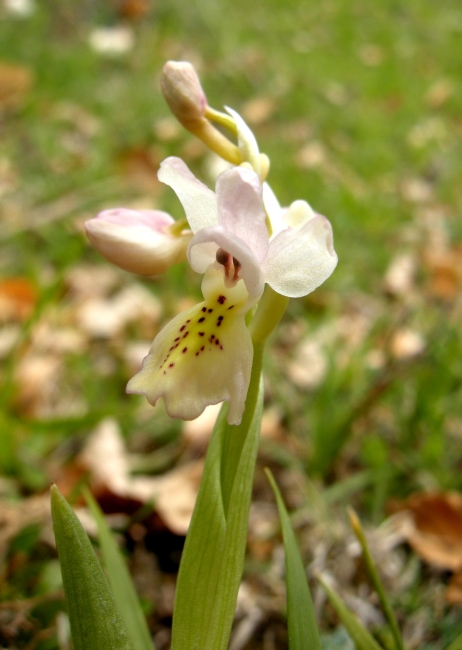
x=198 y=201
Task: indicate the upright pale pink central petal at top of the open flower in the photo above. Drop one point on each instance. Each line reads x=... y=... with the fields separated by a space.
x=240 y=208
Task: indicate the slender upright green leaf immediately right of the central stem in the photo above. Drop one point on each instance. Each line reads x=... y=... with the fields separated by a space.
x=301 y=619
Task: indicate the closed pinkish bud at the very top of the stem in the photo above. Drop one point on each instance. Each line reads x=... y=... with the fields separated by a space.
x=183 y=93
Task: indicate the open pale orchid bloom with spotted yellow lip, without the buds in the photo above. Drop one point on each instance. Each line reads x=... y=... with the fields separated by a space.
x=204 y=356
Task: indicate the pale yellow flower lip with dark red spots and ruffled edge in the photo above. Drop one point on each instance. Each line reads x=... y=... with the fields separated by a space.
x=202 y=357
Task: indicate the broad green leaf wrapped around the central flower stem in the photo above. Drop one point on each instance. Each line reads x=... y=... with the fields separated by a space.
x=213 y=557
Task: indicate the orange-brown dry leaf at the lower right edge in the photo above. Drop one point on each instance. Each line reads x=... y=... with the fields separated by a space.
x=436 y=534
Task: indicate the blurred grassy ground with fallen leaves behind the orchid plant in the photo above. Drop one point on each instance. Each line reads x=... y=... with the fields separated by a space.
x=358 y=106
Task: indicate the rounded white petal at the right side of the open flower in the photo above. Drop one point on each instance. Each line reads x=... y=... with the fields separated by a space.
x=299 y=261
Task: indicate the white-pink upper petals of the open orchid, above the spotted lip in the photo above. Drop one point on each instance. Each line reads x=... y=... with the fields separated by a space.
x=230 y=227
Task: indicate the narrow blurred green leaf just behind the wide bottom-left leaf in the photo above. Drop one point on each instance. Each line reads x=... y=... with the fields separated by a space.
x=120 y=580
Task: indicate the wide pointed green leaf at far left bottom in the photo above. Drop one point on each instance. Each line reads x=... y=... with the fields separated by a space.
x=96 y=623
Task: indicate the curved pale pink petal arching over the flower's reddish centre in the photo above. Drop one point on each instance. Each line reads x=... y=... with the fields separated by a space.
x=202 y=252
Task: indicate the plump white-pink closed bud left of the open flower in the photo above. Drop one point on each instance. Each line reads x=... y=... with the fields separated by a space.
x=137 y=241
